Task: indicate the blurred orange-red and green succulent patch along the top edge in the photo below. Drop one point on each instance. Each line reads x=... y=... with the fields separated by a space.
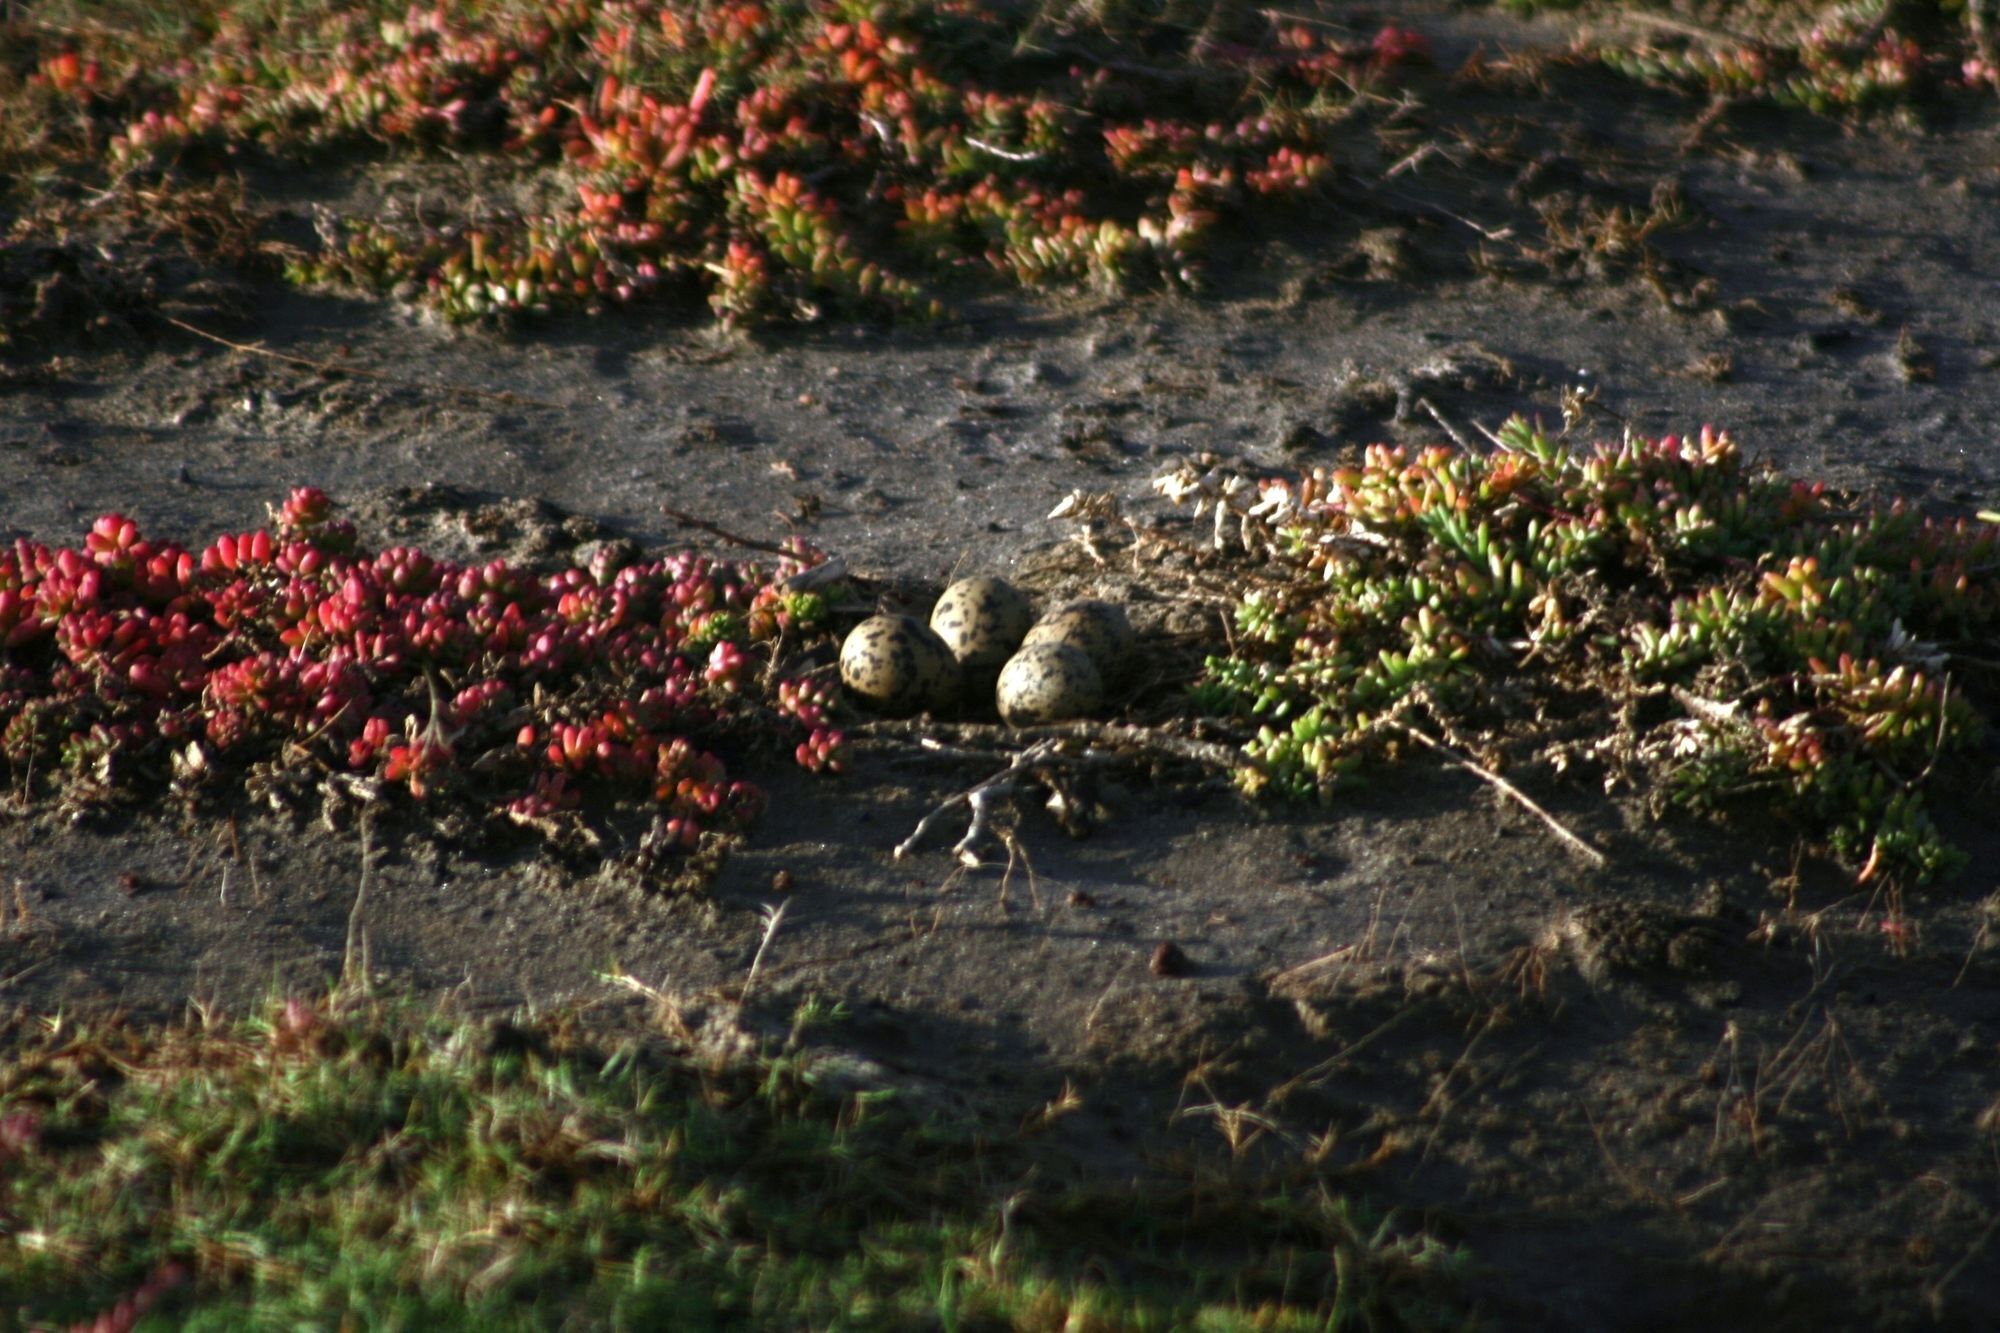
x=777 y=159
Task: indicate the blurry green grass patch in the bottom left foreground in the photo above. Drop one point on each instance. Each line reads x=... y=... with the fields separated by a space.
x=329 y=1166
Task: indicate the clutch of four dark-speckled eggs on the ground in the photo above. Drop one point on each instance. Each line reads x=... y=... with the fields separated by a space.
x=983 y=637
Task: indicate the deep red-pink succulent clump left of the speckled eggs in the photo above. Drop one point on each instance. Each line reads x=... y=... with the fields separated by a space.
x=131 y=663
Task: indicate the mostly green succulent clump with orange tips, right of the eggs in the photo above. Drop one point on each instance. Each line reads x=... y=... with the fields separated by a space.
x=1807 y=645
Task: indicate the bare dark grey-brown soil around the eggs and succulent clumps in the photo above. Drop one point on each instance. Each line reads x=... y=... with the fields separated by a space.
x=1693 y=1088
